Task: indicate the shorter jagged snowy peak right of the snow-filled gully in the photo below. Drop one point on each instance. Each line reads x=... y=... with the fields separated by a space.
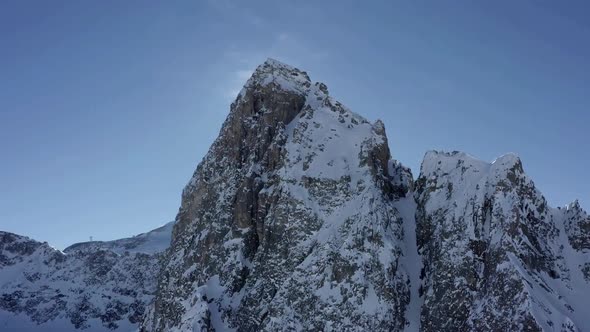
x=495 y=255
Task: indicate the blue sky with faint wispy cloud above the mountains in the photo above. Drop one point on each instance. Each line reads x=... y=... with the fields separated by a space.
x=106 y=107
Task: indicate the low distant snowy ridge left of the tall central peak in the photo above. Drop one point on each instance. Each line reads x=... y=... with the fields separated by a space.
x=96 y=286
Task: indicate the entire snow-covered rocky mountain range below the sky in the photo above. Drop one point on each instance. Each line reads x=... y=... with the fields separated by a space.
x=299 y=219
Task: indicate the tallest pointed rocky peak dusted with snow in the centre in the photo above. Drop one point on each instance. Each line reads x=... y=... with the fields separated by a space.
x=287 y=218
